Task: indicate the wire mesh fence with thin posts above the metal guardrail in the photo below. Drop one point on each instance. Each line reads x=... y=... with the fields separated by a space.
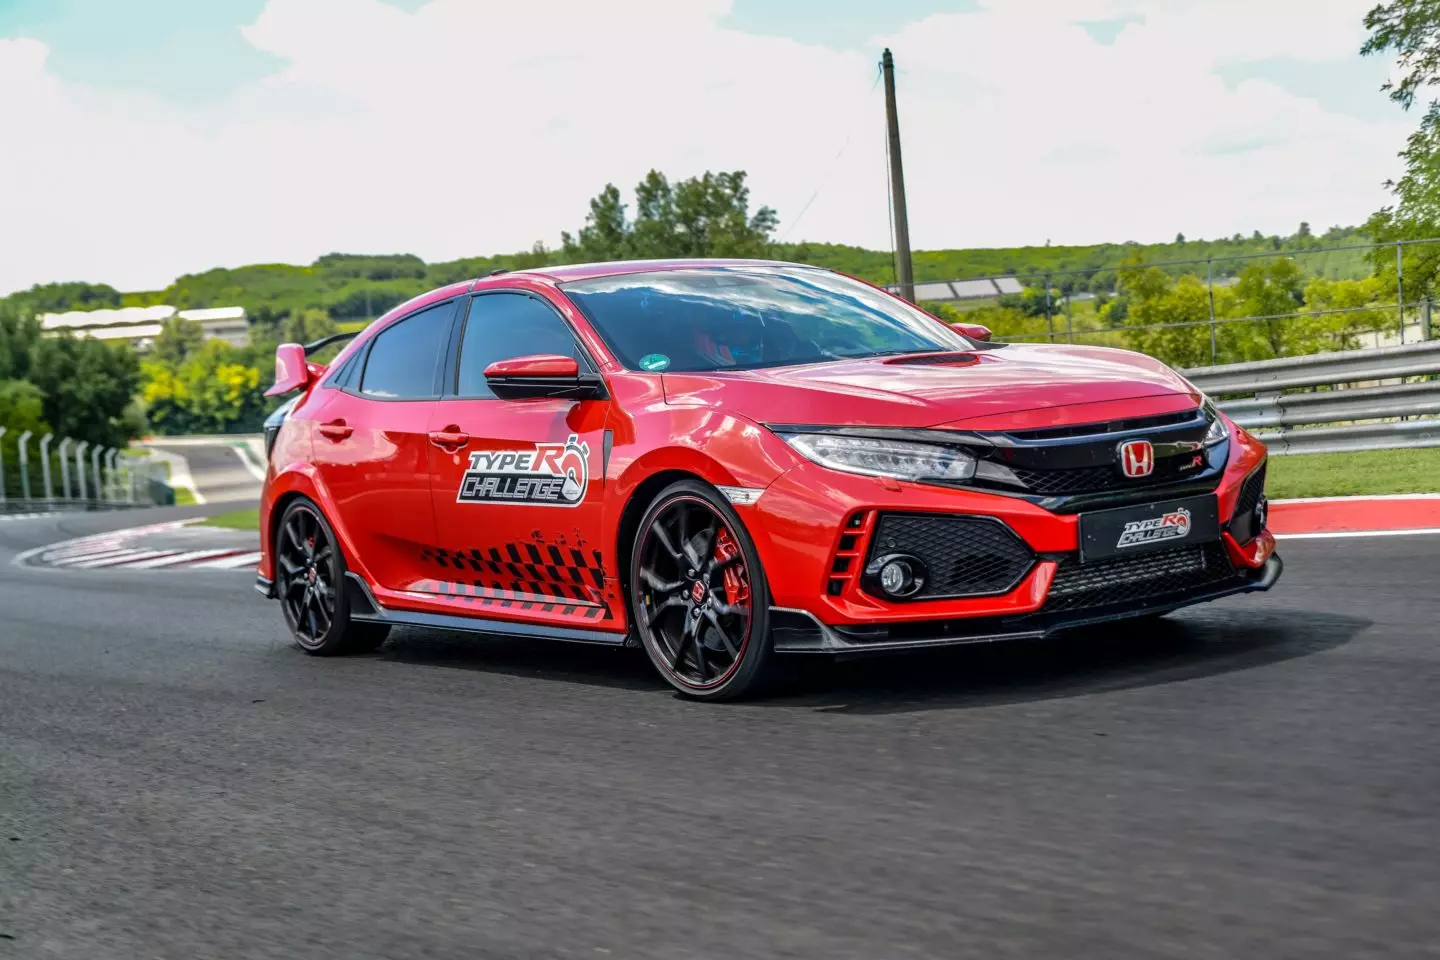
x=1213 y=325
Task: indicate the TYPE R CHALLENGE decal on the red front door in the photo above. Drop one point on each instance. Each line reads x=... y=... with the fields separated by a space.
x=549 y=474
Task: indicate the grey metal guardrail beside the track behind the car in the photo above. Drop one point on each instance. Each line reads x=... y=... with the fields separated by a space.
x=1364 y=418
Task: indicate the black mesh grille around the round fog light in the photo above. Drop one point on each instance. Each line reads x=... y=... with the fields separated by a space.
x=967 y=556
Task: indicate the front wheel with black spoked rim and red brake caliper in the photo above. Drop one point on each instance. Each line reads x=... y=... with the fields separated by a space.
x=705 y=628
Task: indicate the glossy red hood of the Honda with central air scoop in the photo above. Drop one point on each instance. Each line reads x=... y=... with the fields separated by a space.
x=1019 y=386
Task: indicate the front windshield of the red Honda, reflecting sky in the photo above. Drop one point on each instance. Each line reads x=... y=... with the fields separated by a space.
x=741 y=319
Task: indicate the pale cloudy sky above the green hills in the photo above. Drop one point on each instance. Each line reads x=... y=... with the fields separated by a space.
x=150 y=139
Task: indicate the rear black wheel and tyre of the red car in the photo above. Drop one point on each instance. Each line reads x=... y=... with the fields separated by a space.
x=310 y=575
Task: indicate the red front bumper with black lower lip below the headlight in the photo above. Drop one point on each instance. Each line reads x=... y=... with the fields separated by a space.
x=817 y=530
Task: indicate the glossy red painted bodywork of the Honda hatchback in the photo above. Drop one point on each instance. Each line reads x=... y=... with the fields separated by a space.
x=391 y=476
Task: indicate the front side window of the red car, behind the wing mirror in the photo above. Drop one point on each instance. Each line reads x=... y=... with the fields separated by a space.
x=508 y=326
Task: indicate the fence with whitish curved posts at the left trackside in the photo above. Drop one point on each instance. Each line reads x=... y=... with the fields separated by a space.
x=74 y=476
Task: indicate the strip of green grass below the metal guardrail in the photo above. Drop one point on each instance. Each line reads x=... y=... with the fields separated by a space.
x=1367 y=473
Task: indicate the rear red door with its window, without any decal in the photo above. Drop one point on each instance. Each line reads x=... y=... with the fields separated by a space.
x=372 y=450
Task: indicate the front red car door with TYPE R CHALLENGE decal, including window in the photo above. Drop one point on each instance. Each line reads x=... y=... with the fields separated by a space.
x=518 y=484
